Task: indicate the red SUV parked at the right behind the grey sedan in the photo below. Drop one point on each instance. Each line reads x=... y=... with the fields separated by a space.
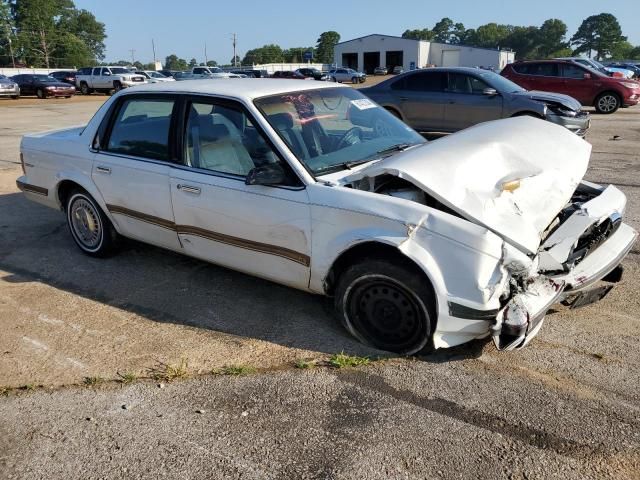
x=587 y=86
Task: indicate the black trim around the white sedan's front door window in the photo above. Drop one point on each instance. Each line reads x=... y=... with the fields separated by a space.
x=181 y=131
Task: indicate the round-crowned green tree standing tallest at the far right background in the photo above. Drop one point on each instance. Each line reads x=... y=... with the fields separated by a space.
x=598 y=33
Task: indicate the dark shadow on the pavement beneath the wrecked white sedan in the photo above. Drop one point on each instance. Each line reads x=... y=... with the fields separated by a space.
x=167 y=287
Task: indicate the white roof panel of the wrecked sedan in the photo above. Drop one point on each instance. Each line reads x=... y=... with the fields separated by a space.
x=241 y=88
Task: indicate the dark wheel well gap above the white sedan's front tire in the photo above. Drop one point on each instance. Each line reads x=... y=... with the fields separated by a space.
x=368 y=250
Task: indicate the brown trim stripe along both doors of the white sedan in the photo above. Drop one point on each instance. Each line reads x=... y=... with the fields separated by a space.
x=245 y=244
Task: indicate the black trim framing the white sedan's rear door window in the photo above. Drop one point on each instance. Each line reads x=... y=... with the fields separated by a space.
x=103 y=133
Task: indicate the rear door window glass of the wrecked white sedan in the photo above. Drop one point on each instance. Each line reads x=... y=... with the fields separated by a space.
x=141 y=128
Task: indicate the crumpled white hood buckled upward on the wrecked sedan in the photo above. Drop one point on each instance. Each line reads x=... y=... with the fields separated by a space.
x=466 y=171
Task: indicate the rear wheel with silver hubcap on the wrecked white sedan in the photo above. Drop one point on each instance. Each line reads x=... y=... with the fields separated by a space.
x=90 y=228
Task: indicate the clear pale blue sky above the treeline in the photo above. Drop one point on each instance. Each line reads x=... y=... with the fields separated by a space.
x=182 y=27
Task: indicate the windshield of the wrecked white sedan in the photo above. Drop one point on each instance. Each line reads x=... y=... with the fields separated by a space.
x=332 y=129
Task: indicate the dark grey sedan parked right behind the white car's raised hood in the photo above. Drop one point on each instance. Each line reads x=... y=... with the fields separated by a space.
x=450 y=99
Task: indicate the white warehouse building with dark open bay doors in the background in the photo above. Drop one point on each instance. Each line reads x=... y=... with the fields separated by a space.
x=366 y=53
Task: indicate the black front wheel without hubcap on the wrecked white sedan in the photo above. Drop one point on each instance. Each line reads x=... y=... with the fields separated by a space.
x=387 y=306
